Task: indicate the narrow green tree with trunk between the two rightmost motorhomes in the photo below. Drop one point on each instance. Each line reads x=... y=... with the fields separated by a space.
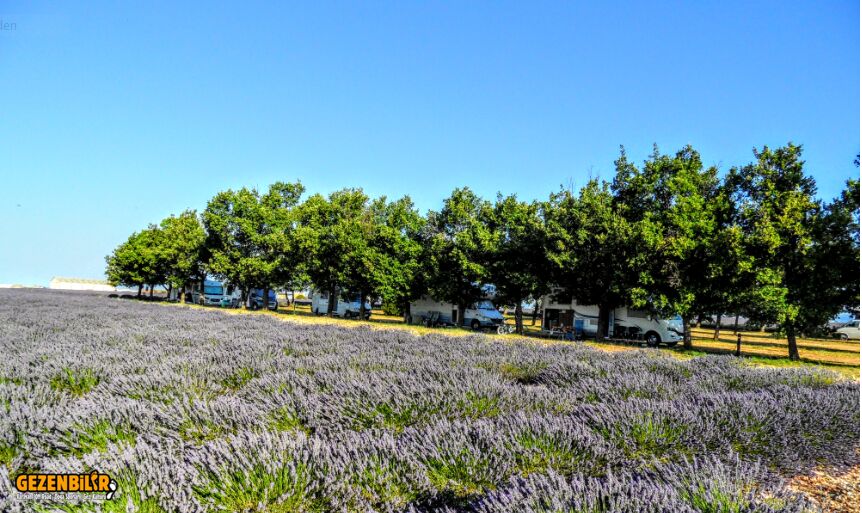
x=514 y=256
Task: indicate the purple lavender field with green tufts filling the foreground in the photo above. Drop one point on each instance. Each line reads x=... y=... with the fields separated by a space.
x=194 y=410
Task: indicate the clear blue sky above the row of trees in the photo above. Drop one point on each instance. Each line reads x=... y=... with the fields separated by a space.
x=112 y=118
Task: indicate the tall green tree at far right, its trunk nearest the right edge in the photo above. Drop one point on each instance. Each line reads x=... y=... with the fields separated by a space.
x=801 y=249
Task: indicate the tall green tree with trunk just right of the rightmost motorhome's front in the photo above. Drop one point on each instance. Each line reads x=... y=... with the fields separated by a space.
x=675 y=200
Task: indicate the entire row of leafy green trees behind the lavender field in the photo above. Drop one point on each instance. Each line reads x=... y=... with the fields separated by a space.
x=671 y=236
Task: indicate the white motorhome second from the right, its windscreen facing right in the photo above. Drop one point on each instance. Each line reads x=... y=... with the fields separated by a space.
x=480 y=315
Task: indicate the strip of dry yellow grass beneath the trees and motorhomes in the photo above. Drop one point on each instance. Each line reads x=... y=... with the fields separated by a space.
x=760 y=348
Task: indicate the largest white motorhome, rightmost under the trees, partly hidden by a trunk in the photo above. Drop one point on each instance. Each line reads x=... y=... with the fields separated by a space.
x=623 y=322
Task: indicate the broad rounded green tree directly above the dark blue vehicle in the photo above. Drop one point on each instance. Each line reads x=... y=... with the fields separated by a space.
x=251 y=237
